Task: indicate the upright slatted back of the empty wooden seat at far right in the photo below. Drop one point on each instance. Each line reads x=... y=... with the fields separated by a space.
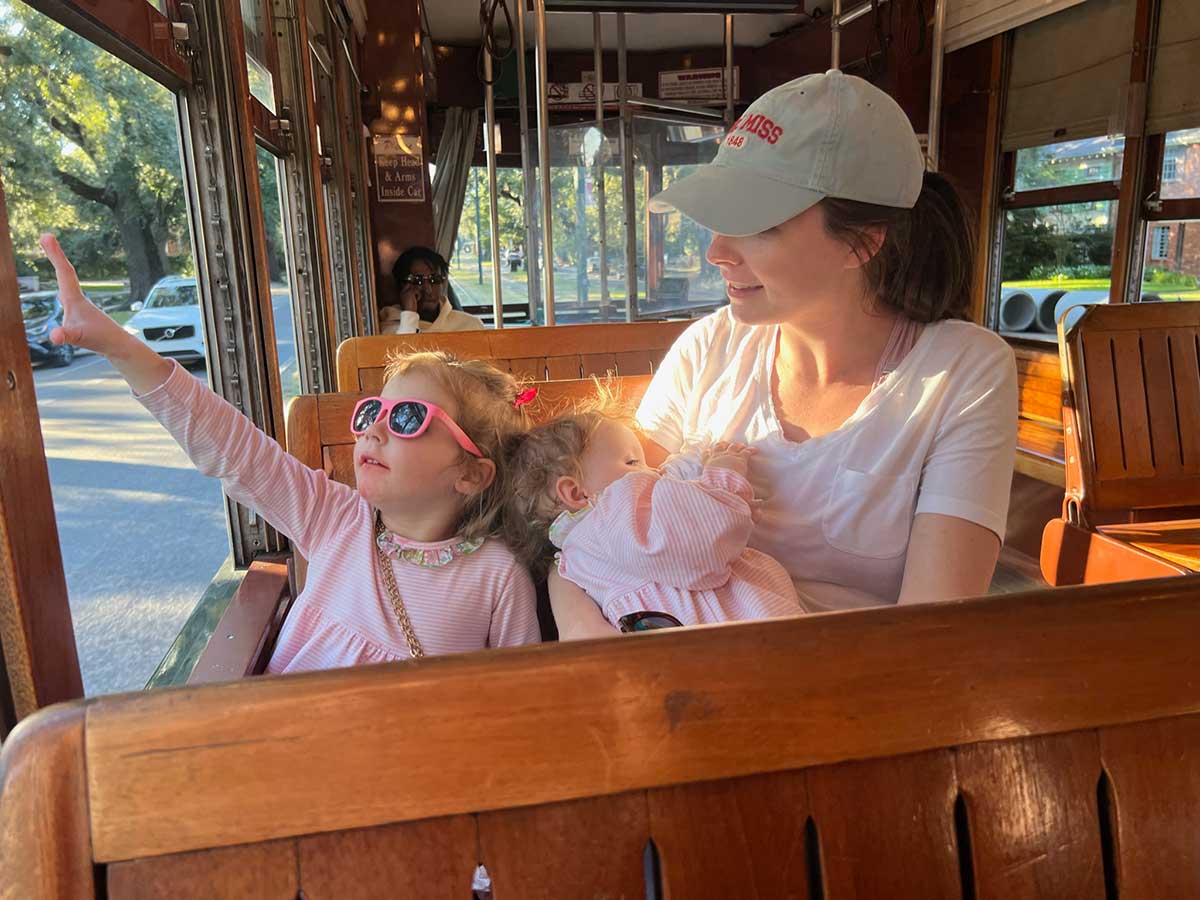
x=1131 y=404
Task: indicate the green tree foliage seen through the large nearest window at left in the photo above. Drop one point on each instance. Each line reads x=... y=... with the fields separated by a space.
x=89 y=149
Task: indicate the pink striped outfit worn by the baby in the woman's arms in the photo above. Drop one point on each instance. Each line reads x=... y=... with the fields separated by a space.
x=663 y=544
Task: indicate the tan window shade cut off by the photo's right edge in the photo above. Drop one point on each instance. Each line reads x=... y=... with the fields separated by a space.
x=1174 y=99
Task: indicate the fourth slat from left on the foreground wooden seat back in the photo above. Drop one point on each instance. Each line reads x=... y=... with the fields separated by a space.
x=743 y=838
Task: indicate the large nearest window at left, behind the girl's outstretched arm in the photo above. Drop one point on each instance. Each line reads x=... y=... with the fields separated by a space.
x=97 y=160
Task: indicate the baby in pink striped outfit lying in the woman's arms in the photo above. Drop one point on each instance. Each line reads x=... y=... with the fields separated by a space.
x=640 y=542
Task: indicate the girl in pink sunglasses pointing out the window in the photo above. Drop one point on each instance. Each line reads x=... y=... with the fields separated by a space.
x=403 y=567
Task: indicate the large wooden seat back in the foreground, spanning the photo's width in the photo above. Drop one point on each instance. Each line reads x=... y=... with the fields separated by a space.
x=1033 y=746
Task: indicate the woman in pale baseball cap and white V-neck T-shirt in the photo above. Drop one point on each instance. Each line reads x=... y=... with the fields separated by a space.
x=884 y=422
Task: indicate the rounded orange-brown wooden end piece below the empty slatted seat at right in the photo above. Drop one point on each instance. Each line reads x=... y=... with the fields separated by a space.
x=1075 y=556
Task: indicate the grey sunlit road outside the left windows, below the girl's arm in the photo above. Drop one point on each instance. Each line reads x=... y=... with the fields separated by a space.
x=142 y=532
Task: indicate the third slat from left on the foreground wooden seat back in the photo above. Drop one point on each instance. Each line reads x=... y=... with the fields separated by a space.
x=584 y=849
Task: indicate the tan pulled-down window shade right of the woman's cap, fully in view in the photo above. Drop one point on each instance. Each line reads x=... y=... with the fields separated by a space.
x=1070 y=75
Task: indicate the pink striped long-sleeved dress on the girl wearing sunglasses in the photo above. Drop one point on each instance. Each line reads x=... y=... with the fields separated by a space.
x=459 y=599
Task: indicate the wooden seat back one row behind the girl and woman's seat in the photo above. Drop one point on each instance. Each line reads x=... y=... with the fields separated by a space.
x=541 y=355
